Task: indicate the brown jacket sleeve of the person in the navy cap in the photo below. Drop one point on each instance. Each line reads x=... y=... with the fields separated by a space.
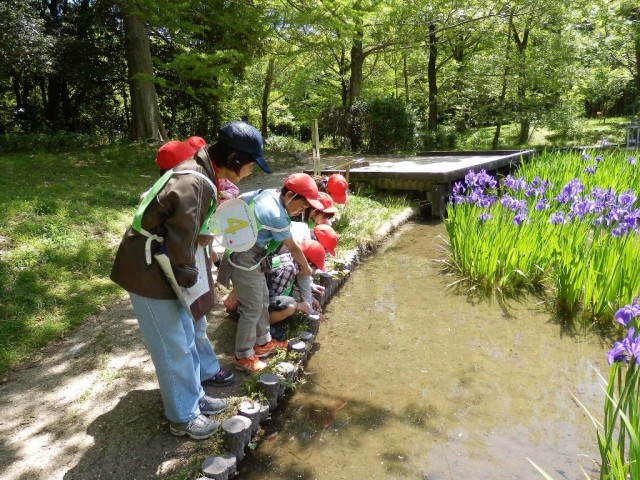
x=188 y=202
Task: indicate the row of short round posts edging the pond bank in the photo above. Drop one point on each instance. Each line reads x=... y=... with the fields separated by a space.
x=240 y=428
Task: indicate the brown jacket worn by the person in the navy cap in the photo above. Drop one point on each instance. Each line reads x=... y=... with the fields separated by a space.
x=177 y=214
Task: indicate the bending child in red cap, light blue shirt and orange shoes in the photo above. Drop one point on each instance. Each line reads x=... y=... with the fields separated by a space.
x=273 y=210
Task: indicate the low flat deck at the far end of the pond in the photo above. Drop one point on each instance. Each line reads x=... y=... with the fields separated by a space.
x=432 y=173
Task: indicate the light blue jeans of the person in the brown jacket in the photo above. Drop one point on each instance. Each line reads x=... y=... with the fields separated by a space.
x=180 y=351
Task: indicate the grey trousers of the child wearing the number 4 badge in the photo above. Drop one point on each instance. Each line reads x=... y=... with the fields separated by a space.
x=251 y=290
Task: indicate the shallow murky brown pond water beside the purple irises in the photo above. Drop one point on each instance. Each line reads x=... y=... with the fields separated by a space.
x=412 y=380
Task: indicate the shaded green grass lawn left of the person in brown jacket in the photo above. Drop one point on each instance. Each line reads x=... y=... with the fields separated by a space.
x=63 y=215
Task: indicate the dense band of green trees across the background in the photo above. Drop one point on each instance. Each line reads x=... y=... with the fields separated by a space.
x=379 y=75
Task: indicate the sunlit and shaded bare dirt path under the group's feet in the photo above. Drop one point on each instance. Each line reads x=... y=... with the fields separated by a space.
x=88 y=406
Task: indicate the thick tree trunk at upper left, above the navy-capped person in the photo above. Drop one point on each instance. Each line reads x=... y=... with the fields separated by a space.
x=146 y=123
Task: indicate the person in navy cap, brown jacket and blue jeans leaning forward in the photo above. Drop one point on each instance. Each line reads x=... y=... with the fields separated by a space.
x=172 y=219
